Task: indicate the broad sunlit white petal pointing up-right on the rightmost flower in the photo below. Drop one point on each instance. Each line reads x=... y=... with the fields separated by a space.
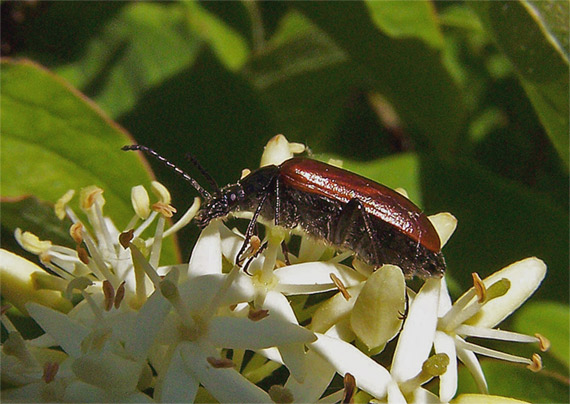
x=525 y=277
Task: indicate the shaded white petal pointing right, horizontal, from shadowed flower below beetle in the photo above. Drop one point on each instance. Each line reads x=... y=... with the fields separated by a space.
x=242 y=333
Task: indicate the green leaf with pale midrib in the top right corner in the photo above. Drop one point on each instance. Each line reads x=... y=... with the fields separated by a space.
x=534 y=36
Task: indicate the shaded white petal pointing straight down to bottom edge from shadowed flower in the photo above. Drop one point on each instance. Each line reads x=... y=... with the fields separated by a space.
x=177 y=385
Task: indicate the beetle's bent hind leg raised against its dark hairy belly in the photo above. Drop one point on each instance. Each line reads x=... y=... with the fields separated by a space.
x=348 y=224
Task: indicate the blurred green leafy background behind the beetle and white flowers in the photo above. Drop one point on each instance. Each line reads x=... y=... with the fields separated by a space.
x=464 y=104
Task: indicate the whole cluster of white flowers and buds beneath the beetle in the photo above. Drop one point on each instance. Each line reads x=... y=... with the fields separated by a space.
x=119 y=327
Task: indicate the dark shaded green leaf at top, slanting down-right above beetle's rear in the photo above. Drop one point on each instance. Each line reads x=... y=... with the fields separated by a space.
x=407 y=72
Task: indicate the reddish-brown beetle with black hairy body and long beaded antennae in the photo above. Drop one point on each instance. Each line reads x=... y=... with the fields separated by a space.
x=342 y=208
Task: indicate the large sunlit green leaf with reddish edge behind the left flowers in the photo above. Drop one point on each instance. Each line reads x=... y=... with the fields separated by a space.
x=54 y=139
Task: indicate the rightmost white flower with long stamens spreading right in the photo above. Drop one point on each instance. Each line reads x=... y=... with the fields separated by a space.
x=477 y=312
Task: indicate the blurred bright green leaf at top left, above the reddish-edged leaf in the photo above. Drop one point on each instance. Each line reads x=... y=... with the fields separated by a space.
x=144 y=45
